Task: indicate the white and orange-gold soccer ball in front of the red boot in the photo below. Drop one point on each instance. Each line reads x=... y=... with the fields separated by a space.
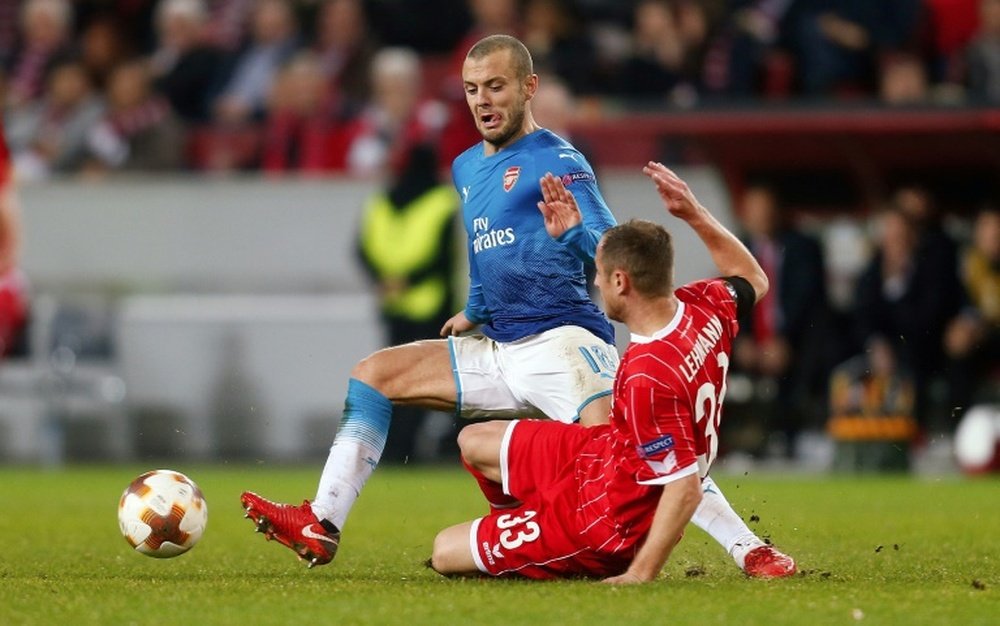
x=162 y=514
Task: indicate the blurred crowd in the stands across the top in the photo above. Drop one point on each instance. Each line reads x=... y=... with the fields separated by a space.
x=313 y=86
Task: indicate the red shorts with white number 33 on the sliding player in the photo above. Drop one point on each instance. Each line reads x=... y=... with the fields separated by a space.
x=548 y=535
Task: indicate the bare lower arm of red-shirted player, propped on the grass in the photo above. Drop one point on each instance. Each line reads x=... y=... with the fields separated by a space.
x=677 y=504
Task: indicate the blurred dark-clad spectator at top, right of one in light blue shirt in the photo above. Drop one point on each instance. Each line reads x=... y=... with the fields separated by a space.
x=345 y=48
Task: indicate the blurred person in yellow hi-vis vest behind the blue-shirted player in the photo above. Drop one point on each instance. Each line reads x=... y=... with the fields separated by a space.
x=409 y=248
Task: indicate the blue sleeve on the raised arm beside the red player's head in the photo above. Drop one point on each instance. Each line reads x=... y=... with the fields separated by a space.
x=579 y=178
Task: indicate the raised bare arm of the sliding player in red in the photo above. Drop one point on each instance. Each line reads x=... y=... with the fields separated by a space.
x=731 y=257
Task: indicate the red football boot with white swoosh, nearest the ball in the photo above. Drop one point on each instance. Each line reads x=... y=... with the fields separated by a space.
x=293 y=526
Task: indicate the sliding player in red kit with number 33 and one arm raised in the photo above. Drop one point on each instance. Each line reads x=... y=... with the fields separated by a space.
x=612 y=500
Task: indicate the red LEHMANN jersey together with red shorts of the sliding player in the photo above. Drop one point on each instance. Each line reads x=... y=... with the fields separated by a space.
x=588 y=495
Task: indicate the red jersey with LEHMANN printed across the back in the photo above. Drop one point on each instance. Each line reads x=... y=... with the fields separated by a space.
x=665 y=411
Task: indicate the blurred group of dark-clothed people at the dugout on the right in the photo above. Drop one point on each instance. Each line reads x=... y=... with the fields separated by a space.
x=880 y=331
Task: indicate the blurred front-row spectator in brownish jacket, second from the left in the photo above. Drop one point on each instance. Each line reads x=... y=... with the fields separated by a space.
x=139 y=130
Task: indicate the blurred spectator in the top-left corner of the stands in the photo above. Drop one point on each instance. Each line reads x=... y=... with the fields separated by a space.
x=45 y=36
